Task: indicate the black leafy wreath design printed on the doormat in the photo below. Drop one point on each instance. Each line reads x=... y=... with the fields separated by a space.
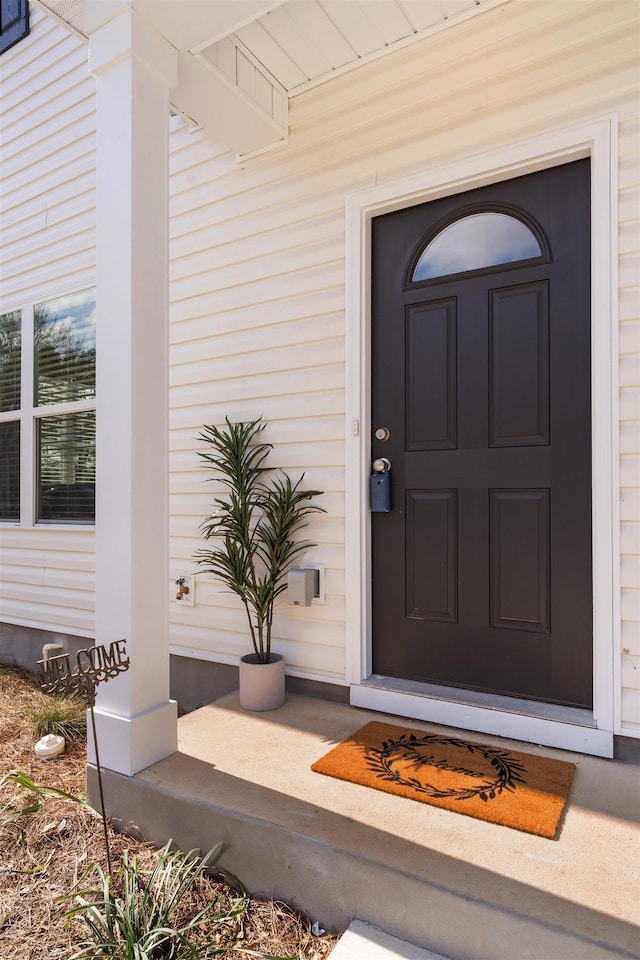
x=380 y=761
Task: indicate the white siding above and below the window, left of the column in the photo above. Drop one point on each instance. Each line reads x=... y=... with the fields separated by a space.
x=47 y=248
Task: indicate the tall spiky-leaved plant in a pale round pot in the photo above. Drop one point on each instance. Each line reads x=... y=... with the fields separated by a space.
x=251 y=543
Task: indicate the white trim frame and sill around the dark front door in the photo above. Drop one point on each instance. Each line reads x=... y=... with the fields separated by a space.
x=582 y=731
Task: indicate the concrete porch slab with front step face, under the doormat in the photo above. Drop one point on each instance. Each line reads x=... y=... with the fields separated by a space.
x=463 y=888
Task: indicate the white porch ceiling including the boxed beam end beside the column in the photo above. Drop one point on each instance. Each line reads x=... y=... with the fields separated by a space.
x=241 y=61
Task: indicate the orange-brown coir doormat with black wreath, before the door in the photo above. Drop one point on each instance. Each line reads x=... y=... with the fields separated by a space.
x=514 y=789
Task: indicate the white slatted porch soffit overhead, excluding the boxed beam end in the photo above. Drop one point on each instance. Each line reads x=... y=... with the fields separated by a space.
x=300 y=43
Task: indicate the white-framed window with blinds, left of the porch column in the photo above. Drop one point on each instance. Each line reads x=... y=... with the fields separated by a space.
x=48 y=411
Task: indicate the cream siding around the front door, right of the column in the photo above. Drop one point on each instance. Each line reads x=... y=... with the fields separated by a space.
x=257 y=273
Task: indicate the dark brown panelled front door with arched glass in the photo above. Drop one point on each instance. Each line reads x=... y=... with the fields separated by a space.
x=481 y=375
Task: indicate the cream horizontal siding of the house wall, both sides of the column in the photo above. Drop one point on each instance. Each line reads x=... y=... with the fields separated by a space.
x=258 y=268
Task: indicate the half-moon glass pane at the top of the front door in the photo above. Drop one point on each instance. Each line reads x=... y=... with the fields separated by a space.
x=476 y=241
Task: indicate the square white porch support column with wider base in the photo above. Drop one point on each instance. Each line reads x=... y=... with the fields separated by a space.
x=134 y=70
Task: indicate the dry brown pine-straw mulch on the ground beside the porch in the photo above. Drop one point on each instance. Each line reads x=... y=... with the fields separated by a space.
x=62 y=839
